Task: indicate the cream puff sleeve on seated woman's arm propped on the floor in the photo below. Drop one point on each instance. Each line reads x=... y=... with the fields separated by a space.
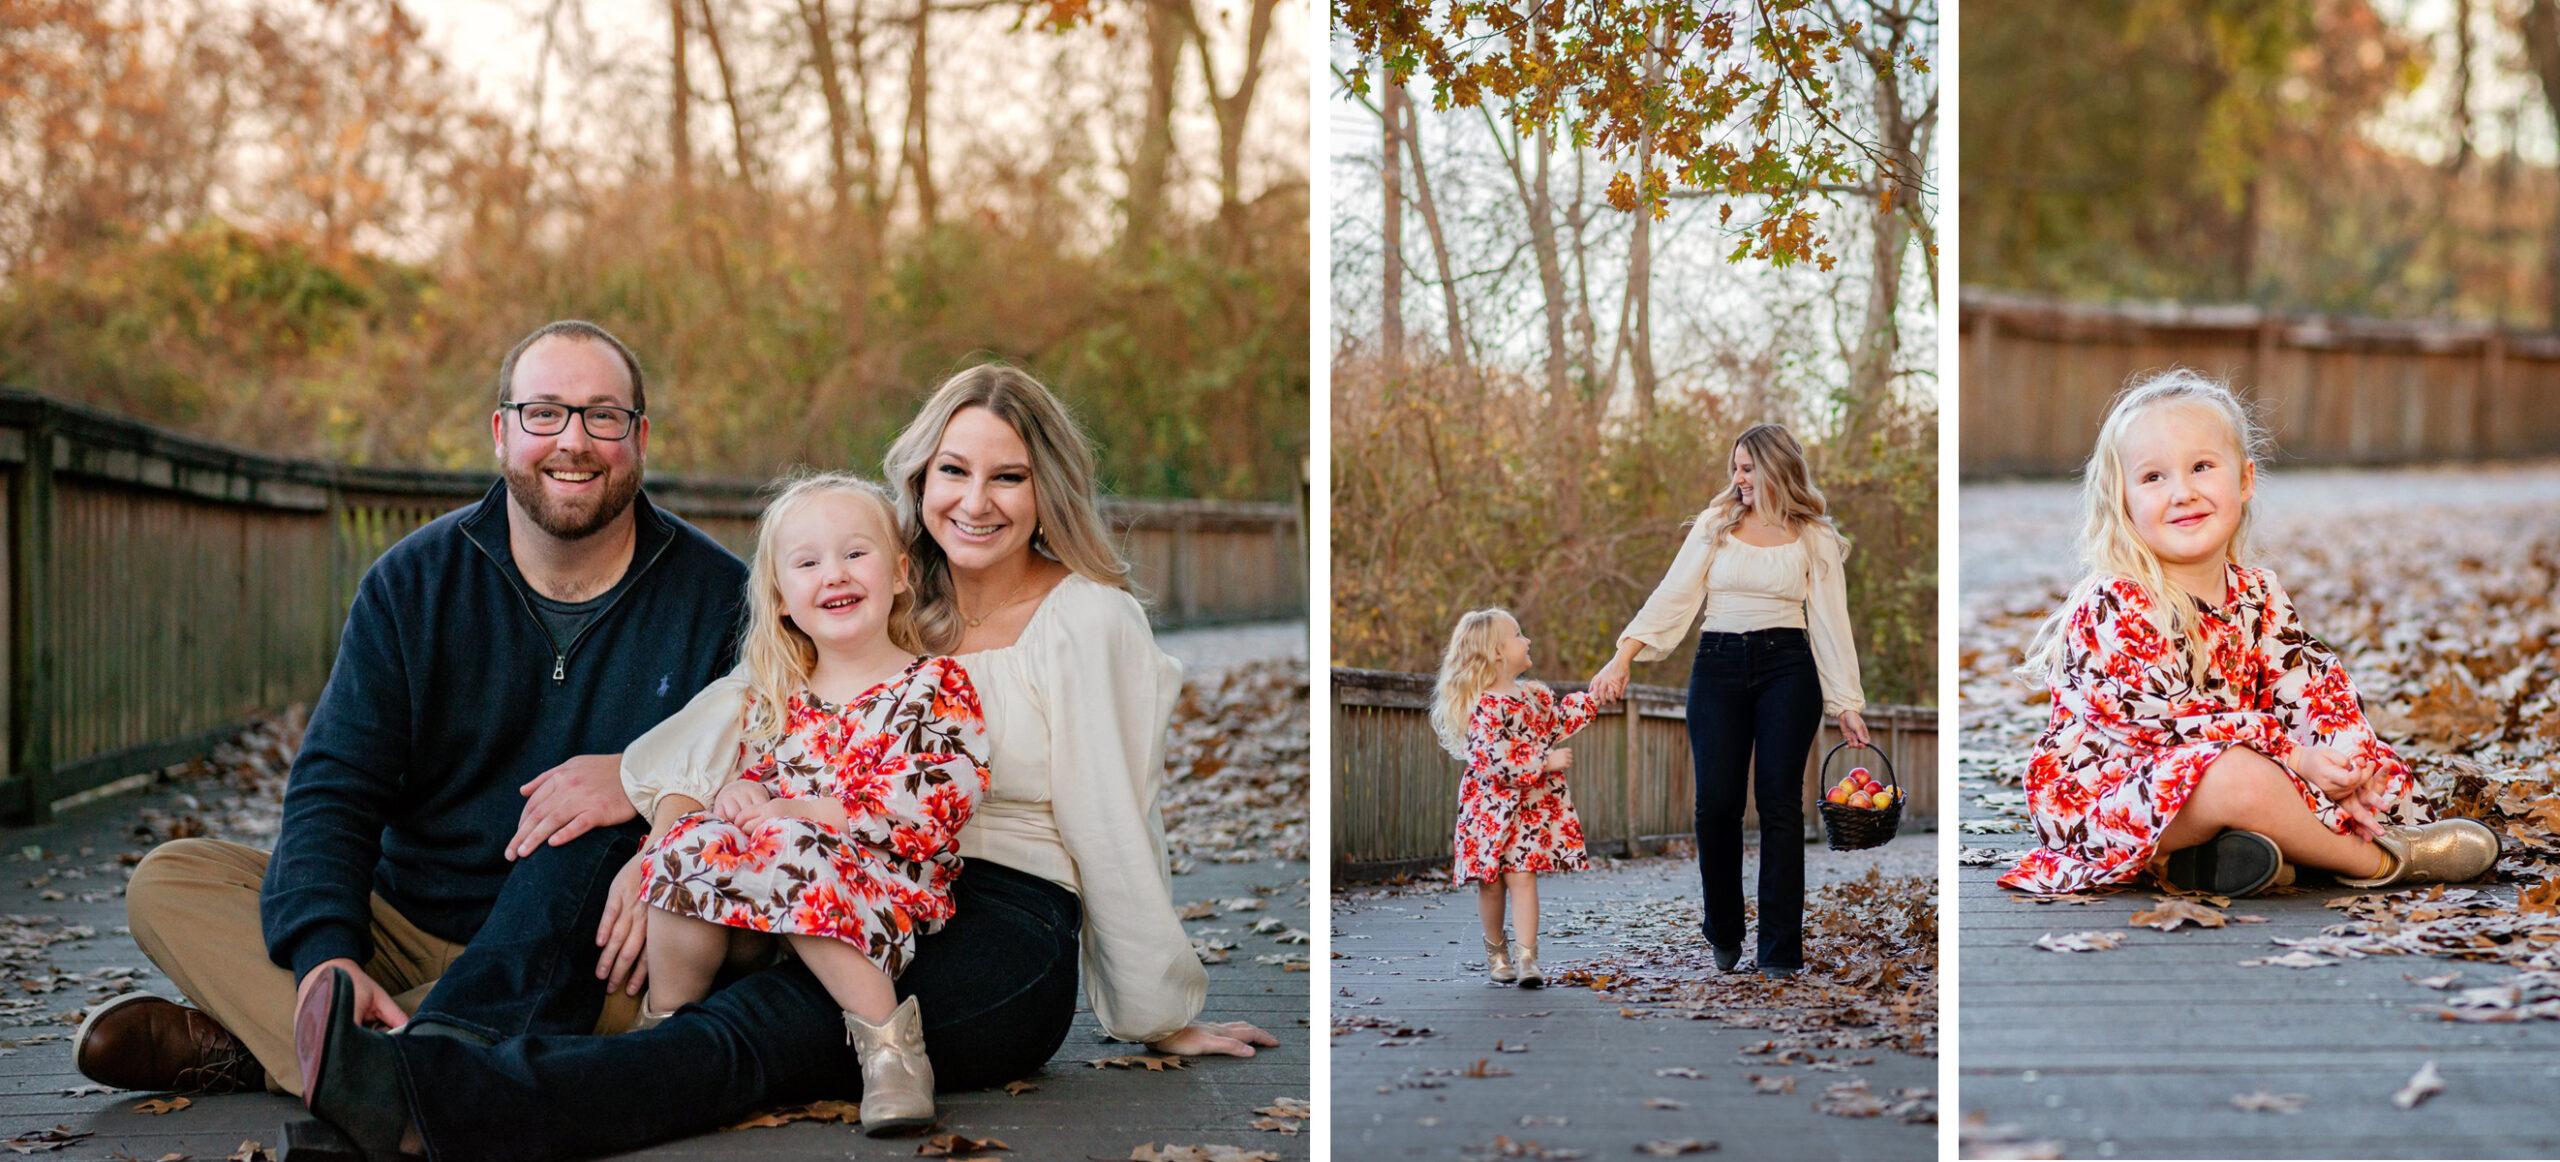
x=1110 y=697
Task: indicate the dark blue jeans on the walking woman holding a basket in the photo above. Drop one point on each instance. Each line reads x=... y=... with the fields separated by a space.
x=1755 y=705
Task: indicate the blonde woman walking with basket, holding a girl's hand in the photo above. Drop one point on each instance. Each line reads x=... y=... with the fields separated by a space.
x=1763 y=577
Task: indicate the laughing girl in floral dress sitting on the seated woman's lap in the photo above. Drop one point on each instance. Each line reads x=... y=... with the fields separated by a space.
x=838 y=831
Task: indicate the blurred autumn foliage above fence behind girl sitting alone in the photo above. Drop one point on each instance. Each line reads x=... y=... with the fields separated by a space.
x=2359 y=157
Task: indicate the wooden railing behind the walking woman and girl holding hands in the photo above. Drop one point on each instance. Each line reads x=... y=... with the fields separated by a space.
x=1635 y=790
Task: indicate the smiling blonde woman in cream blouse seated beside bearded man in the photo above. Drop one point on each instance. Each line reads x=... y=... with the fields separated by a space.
x=1064 y=864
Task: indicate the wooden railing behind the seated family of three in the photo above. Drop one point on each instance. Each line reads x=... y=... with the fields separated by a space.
x=163 y=590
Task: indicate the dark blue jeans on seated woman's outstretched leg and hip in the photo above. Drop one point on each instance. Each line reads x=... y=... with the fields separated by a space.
x=997 y=994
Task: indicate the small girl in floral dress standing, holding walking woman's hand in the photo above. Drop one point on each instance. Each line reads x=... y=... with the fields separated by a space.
x=1514 y=815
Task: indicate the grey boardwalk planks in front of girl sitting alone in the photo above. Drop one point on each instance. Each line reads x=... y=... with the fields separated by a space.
x=2141 y=1051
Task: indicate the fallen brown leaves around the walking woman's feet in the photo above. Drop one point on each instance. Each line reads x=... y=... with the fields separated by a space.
x=1870 y=951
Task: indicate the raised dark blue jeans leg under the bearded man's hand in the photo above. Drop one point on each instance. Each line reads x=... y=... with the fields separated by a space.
x=531 y=969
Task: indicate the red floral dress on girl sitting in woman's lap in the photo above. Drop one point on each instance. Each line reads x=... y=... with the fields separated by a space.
x=908 y=759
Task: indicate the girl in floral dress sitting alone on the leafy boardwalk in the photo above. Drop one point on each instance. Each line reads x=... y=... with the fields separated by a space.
x=2198 y=728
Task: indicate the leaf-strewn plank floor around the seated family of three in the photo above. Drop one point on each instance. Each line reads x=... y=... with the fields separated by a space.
x=1076 y=1112
